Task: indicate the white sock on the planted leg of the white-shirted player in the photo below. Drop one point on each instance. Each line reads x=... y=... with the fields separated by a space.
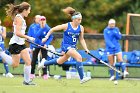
x=27 y=71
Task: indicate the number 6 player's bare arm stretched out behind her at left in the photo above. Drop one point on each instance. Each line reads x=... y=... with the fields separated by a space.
x=56 y=28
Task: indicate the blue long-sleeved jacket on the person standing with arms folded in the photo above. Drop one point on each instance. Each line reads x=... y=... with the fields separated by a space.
x=112 y=37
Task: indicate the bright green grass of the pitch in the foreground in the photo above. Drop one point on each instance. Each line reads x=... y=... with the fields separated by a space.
x=14 y=85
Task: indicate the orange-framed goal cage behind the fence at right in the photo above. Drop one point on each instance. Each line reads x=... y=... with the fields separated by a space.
x=132 y=28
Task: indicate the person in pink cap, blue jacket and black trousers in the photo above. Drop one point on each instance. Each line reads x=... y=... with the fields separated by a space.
x=44 y=29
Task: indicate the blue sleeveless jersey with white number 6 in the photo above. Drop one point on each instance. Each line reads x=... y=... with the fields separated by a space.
x=70 y=37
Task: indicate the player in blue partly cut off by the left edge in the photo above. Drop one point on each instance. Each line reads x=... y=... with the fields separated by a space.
x=2 y=49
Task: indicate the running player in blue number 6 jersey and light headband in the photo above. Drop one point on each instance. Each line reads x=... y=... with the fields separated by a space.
x=73 y=32
